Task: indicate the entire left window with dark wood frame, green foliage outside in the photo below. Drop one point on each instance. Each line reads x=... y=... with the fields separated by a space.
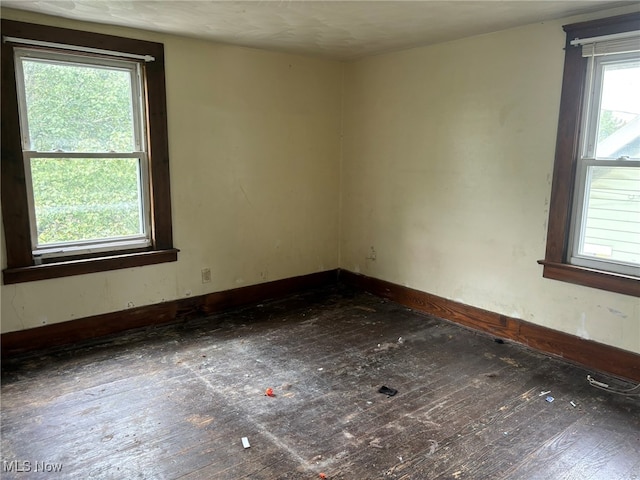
x=85 y=184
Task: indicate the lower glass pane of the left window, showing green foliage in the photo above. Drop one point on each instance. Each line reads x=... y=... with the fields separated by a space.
x=83 y=199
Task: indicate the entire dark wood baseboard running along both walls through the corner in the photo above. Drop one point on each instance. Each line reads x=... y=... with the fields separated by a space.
x=587 y=353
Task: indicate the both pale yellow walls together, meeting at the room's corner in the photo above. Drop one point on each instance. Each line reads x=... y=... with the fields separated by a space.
x=444 y=179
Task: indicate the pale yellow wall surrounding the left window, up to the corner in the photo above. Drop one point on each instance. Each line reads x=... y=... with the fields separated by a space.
x=255 y=147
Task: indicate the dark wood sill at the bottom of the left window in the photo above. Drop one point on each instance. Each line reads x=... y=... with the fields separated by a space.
x=89 y=265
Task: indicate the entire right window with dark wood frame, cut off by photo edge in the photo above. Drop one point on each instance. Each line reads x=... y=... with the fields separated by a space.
x=593 y=237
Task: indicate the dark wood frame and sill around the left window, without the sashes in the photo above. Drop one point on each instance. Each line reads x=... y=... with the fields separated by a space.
x=21 y=266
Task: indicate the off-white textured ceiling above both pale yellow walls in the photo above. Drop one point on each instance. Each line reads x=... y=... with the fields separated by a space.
x=337 y=29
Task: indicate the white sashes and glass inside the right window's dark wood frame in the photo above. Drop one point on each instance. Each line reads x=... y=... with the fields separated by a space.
x=606 y=215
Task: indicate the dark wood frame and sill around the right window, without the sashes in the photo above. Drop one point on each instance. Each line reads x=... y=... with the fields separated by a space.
x=555 y=264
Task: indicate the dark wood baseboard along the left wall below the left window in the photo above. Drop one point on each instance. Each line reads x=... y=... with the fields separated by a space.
x=74 y=331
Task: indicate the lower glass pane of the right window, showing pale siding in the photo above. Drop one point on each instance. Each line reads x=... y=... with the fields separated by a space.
x=612 y=229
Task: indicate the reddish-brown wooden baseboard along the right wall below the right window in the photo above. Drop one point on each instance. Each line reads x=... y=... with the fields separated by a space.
x=593 y=355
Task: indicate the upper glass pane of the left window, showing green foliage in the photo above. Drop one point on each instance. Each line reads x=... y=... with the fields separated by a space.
x=78 y=108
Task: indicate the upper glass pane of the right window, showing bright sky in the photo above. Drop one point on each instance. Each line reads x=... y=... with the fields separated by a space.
x=619 y=122
